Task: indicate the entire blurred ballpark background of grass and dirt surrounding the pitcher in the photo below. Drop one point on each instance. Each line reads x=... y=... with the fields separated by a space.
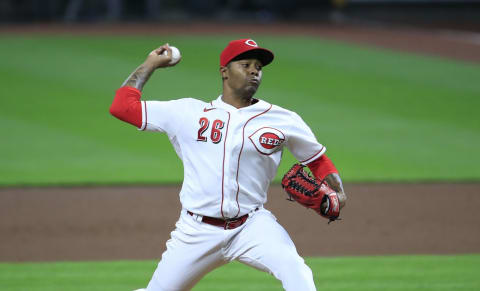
x=391 y=87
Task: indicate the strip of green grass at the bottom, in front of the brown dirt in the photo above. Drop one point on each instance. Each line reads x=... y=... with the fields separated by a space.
x=382 y=273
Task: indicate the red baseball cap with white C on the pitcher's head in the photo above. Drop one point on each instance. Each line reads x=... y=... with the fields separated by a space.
x=239 y=48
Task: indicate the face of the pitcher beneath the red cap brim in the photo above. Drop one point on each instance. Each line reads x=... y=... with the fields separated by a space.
x=244 y=76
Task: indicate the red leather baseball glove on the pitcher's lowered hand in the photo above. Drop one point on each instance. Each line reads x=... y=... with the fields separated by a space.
x=307 y=191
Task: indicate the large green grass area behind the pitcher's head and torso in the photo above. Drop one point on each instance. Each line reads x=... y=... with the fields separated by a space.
x=383 y=115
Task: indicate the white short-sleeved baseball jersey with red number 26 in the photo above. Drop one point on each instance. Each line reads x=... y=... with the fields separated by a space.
x=230 y=156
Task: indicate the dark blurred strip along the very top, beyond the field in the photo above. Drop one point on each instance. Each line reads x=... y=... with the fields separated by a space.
x=464 y=14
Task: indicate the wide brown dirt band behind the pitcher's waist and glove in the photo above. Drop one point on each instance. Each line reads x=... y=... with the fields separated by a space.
x=107 y=223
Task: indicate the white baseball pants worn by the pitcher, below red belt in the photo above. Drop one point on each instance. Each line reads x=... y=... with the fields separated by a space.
x=196 y=248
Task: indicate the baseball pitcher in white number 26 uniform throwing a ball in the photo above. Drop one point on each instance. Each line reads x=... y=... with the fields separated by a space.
x=231 y=148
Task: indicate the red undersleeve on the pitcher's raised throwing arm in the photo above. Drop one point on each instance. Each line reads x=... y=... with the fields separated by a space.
x=127 y=106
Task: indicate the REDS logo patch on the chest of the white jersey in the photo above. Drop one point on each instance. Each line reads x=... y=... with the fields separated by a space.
x=267 y=140
